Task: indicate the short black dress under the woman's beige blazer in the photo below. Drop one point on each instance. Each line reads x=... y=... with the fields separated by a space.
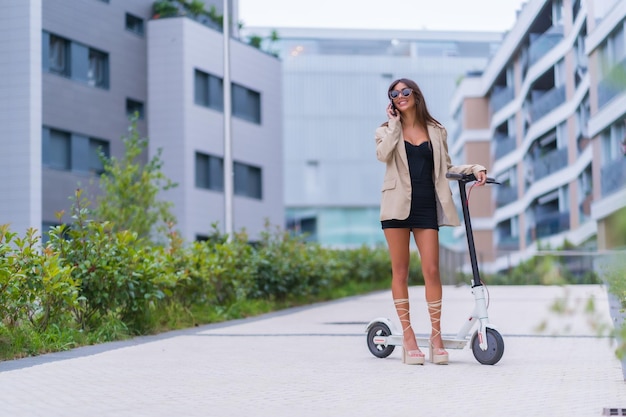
x=423 y=213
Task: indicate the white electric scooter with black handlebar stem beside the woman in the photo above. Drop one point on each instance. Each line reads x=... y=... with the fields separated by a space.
x=486 y=342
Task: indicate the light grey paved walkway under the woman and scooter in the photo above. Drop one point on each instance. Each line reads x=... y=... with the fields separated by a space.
x=314 y=361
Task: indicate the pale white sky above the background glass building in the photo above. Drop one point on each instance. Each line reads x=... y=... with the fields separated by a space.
x=462 y=15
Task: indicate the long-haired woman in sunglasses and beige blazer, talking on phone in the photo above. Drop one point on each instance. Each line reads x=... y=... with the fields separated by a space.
x=416 y=197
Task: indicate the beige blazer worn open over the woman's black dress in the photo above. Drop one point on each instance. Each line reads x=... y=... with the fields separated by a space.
x=396 y=190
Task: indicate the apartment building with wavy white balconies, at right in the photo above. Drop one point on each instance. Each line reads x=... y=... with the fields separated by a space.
x=550 y=110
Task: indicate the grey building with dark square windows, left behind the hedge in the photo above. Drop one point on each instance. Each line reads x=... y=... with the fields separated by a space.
x=73 y=71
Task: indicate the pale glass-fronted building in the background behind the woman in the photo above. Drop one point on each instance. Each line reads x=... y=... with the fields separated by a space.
x=335 y=93
